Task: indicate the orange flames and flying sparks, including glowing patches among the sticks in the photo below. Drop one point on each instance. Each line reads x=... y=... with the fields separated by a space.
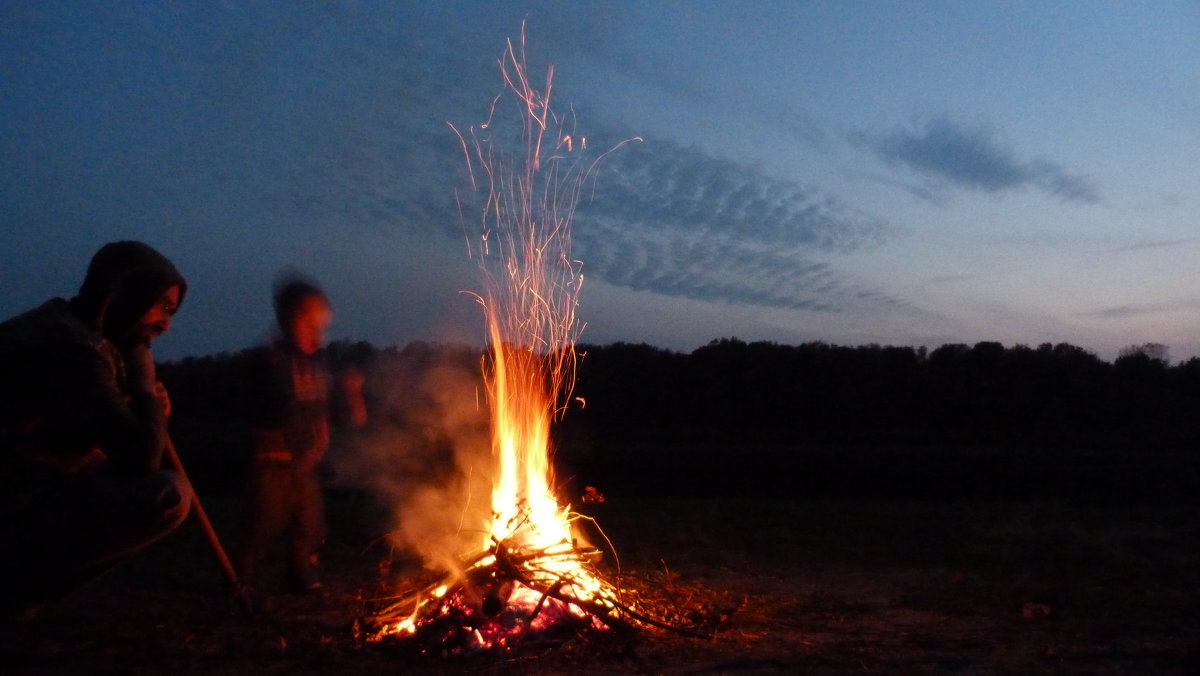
x=530 y=301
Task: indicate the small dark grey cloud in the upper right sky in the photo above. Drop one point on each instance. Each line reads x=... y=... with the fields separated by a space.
x=945 y=153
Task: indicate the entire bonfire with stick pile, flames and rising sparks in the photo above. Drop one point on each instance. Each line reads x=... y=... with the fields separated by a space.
x=531 y=575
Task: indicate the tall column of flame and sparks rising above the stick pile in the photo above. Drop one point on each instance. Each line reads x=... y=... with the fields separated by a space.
x=530 y=309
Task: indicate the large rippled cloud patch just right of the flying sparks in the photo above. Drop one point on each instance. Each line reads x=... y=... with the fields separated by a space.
x=677 y=222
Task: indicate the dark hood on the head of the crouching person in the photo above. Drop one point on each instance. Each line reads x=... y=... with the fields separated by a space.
x=124 y=280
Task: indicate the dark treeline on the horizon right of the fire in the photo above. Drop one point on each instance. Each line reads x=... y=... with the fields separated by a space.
x=982 y=396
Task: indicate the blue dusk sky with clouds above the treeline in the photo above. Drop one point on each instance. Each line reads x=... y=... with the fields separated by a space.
x=893 y=174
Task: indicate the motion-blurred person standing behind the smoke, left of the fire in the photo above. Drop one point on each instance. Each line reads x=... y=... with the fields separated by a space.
x=291 y=435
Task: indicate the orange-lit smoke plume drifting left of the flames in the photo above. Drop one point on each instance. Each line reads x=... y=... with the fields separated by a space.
x=427 y=452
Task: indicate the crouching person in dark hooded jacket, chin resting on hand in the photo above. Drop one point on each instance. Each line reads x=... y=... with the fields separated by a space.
x=83 y=429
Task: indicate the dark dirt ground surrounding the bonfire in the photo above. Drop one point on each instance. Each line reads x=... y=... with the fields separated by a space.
x=819 y=588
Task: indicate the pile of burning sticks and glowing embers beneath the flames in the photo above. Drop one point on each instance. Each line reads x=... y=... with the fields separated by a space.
x=508 y=600
